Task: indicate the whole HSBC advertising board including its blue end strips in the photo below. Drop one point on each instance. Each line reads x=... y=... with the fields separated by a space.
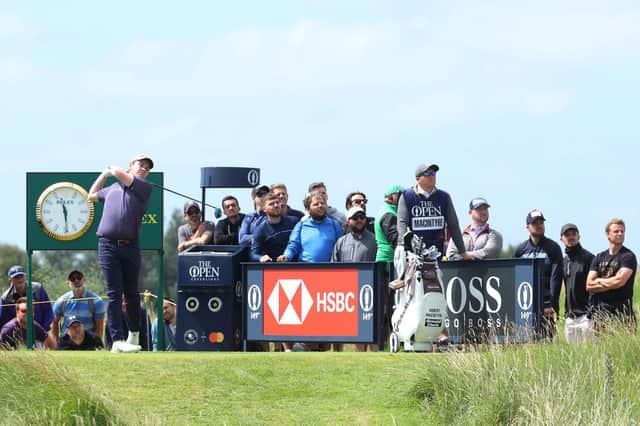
x=314 y=303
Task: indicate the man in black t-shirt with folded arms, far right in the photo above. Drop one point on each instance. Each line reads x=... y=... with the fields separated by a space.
x=611 y=278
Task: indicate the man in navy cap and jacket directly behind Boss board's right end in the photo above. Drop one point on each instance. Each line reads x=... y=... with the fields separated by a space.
x=537 y=246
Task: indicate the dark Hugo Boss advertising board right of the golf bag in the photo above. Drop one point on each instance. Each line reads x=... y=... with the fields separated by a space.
x=493 y=301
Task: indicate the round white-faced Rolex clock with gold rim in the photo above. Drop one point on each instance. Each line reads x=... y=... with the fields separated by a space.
x=63 y=211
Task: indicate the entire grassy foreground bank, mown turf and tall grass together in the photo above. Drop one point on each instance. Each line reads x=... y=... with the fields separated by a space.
x=593 y=383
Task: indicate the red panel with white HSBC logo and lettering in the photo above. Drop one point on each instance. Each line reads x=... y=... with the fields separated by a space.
x=311 y=302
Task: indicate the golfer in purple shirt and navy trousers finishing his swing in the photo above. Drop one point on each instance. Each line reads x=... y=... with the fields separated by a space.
x=125 y=202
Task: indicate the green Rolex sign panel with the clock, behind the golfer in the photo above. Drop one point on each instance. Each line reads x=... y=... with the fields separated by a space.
x=59 y=218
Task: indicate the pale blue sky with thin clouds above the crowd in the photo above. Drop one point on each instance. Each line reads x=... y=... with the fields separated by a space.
x=530 y=104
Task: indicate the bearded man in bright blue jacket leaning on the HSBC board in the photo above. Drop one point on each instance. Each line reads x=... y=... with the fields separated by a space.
x=312 y=240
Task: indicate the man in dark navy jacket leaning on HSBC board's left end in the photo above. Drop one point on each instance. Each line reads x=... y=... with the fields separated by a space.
x=271 y=236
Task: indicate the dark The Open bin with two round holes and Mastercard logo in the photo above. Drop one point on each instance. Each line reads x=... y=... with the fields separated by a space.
x=209 y=298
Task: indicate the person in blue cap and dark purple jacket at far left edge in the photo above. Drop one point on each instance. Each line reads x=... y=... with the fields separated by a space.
x=43 y=313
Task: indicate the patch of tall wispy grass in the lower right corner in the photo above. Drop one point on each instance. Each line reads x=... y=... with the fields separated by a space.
x=590 y=383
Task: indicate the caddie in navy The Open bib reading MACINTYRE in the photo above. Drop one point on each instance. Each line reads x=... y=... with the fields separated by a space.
x=428 y=211
